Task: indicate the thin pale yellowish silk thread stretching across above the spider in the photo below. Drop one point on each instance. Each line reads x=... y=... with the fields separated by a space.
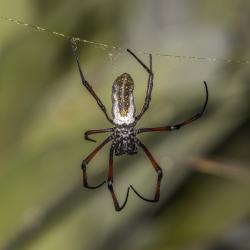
x=123 y=50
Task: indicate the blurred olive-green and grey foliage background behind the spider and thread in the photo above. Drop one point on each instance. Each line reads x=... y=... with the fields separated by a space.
x=44 y=111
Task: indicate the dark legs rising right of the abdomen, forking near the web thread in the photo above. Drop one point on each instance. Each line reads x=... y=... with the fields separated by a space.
x=149 y=86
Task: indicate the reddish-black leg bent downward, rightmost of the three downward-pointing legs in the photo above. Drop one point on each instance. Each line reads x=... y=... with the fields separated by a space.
x=157 y=169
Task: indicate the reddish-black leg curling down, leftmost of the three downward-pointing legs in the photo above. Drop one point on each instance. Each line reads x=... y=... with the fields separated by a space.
x=86 y=162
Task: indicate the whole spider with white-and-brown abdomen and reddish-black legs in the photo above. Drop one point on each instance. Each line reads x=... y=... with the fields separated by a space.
x=124 y=134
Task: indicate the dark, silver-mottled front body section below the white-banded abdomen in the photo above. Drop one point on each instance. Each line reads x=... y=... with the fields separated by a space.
x=124 y=141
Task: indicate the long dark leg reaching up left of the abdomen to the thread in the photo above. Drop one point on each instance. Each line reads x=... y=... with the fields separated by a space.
x=85 y=82
